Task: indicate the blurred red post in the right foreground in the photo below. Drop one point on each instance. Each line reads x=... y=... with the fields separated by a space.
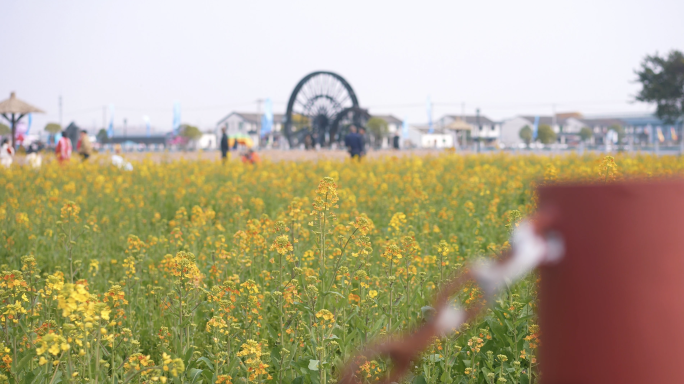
x=612 y=310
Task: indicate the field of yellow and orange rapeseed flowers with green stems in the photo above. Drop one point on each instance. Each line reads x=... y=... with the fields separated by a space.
x=200 y=272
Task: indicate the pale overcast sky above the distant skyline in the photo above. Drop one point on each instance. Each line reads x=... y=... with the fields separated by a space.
x=214 y=57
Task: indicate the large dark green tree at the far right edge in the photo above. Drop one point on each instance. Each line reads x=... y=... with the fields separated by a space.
x=662 y=83
